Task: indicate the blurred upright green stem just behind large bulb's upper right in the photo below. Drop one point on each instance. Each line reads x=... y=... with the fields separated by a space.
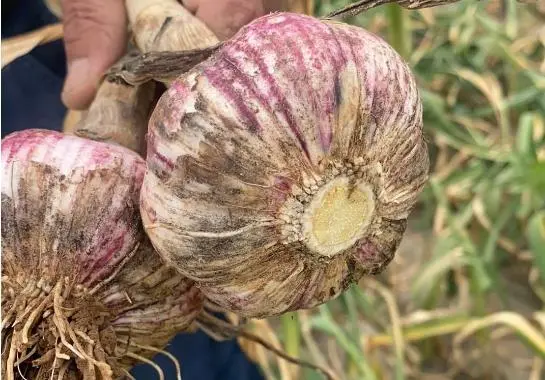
x=399 y=31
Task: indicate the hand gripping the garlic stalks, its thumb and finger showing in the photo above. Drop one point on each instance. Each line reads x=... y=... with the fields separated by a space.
x=96 y=33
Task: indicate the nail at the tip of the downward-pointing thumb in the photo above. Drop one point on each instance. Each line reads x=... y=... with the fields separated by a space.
x=78 y=86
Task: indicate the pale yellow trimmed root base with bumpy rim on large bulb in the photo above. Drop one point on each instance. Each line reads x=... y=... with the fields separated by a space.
x=330 y=213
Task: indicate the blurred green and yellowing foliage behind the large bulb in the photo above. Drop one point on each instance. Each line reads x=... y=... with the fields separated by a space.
x=465 y=294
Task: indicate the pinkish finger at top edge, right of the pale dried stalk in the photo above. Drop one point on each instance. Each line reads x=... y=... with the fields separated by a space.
x=226 y=17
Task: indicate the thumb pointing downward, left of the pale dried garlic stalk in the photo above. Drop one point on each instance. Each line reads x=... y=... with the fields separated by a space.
x=95 y=35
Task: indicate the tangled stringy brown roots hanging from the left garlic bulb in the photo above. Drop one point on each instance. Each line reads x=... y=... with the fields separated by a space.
x=56 y=326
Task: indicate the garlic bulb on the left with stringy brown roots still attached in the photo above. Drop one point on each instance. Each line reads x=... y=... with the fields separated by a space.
x=84 y=295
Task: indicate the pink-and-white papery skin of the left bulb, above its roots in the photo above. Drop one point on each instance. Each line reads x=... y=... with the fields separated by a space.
x=78 y=201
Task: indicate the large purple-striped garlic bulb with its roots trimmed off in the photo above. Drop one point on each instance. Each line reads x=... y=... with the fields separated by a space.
x=284 y=167
